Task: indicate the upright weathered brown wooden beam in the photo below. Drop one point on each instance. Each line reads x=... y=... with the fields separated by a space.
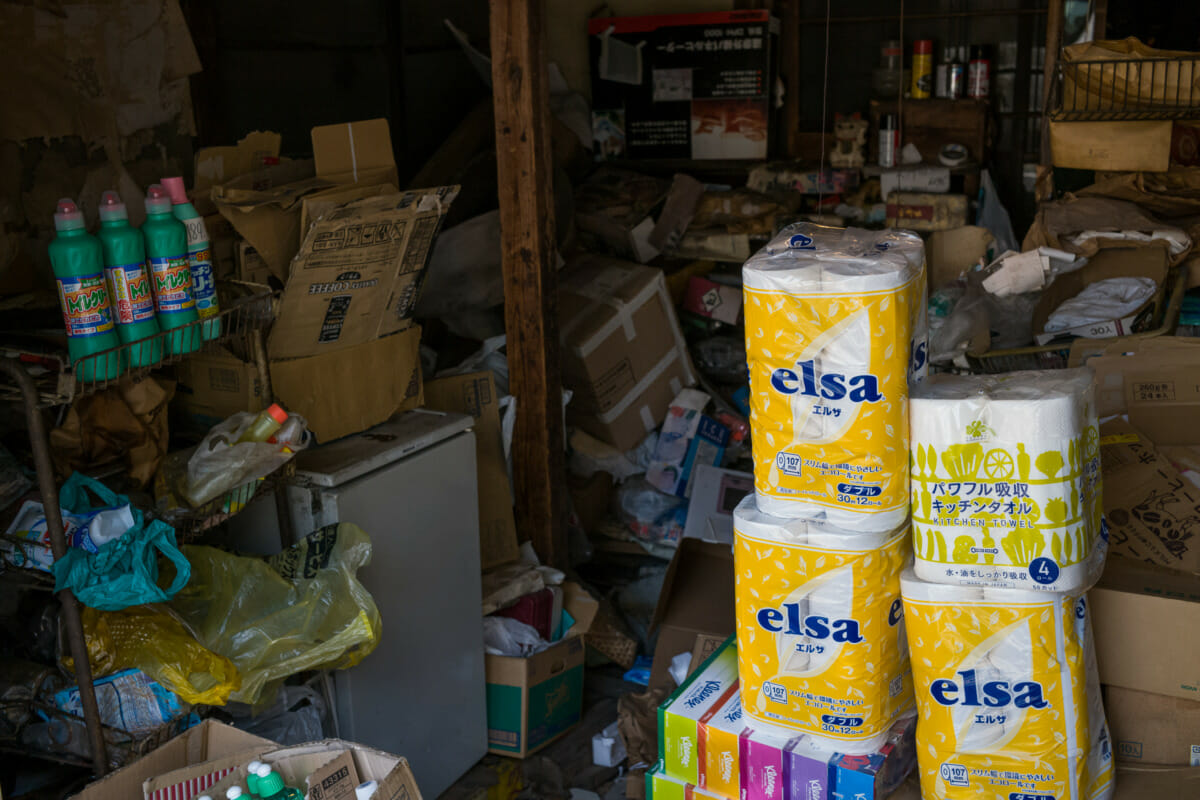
x=531 y=292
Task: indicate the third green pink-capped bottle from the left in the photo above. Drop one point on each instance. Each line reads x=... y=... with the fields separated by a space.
x=167 y=254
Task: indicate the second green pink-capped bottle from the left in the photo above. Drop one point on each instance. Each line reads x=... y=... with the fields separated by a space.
x=129 y=285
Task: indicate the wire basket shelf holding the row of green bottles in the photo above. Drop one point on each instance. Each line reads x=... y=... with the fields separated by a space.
x=250 y=310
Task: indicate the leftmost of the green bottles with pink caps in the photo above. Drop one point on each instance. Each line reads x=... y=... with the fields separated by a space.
x=79 y=267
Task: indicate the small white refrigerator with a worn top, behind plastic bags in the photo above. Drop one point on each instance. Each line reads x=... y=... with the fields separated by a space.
x=411 y=485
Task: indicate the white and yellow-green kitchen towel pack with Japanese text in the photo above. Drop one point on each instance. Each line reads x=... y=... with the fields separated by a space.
x=1006 y=482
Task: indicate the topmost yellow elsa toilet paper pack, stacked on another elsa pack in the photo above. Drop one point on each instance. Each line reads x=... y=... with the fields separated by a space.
x=836 y=328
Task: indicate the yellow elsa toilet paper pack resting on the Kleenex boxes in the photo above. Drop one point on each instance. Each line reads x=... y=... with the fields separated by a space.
x=820 y=628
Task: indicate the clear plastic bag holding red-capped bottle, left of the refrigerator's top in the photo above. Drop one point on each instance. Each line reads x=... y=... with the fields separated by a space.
x=221 y=464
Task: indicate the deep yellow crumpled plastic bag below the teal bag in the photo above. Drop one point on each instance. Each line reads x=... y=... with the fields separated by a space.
x=152 y=640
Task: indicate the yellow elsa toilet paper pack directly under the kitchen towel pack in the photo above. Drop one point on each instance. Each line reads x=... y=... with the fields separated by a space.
x=1009 y=696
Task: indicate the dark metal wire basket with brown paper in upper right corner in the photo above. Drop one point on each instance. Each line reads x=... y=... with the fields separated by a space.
x=1127 y=91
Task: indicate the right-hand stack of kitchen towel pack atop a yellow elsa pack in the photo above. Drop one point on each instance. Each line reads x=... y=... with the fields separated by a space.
x=1009 y=537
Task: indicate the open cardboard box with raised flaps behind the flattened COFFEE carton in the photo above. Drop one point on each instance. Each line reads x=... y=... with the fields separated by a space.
x=267 y=207
